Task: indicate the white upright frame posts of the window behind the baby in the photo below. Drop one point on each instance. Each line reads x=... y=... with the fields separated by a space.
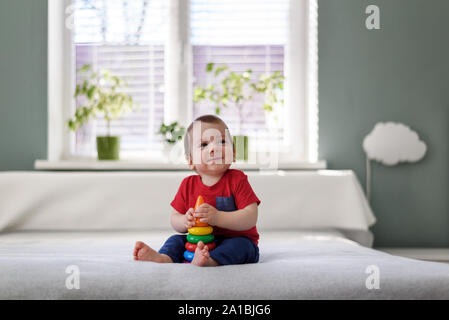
x=301 y=69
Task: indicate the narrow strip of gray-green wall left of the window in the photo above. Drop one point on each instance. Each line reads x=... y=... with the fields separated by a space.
x=23 y=83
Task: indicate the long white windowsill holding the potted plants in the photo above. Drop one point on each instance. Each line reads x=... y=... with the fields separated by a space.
x=143 y=165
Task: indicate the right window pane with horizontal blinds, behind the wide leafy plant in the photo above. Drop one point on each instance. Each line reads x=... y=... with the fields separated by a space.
x=244 y=35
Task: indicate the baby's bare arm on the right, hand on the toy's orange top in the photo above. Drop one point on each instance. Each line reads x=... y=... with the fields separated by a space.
x=239 y=220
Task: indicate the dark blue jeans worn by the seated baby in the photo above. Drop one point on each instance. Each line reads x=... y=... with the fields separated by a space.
x=236 y=250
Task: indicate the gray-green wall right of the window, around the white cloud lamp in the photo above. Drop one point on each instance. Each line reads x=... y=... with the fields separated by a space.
x=398 y=73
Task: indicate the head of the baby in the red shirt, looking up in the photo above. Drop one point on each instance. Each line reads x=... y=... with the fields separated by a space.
x=208 y=145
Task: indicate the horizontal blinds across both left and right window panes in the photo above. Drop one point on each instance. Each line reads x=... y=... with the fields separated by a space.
x=129 y=36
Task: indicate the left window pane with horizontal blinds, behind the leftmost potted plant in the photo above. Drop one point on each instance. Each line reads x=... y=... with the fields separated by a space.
x=127 y=38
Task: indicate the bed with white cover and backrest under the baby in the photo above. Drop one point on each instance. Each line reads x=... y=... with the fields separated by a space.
x=71 y=236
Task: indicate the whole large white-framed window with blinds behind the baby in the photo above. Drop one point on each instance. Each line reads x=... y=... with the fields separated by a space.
x=161 y=48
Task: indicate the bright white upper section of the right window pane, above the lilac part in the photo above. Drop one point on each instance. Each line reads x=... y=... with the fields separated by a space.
x=236 y=22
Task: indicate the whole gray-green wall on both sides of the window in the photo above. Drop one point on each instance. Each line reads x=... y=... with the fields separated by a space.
x=397 y=73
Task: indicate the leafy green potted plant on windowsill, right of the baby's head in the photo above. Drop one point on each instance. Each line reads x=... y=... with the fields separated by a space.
x=236 y=89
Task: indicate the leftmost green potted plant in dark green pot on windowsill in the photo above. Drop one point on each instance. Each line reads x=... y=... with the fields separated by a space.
x=100 y=93
